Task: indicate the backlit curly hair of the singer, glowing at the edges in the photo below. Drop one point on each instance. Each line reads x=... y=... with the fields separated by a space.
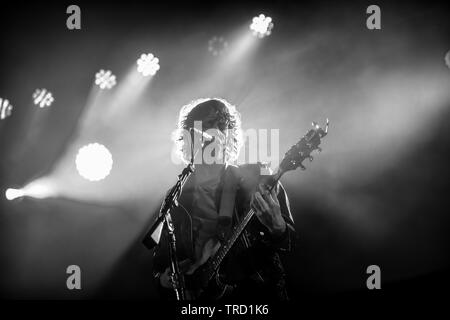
x=225 y=117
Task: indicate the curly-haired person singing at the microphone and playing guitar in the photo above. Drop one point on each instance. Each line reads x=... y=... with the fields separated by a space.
x=215 y=198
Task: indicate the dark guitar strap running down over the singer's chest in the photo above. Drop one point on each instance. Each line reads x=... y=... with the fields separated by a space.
x=227 y=201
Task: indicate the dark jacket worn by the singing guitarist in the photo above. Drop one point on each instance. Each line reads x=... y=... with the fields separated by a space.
x=253 y=265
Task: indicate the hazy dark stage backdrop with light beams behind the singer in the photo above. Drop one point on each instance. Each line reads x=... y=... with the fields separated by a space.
x=377 y=195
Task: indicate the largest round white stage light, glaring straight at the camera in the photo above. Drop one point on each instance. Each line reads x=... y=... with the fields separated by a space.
x=94 y=162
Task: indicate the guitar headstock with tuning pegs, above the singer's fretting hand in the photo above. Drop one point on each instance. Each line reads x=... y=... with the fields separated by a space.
x=302 y=150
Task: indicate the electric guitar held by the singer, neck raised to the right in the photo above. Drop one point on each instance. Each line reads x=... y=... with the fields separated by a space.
x=202 y=278
